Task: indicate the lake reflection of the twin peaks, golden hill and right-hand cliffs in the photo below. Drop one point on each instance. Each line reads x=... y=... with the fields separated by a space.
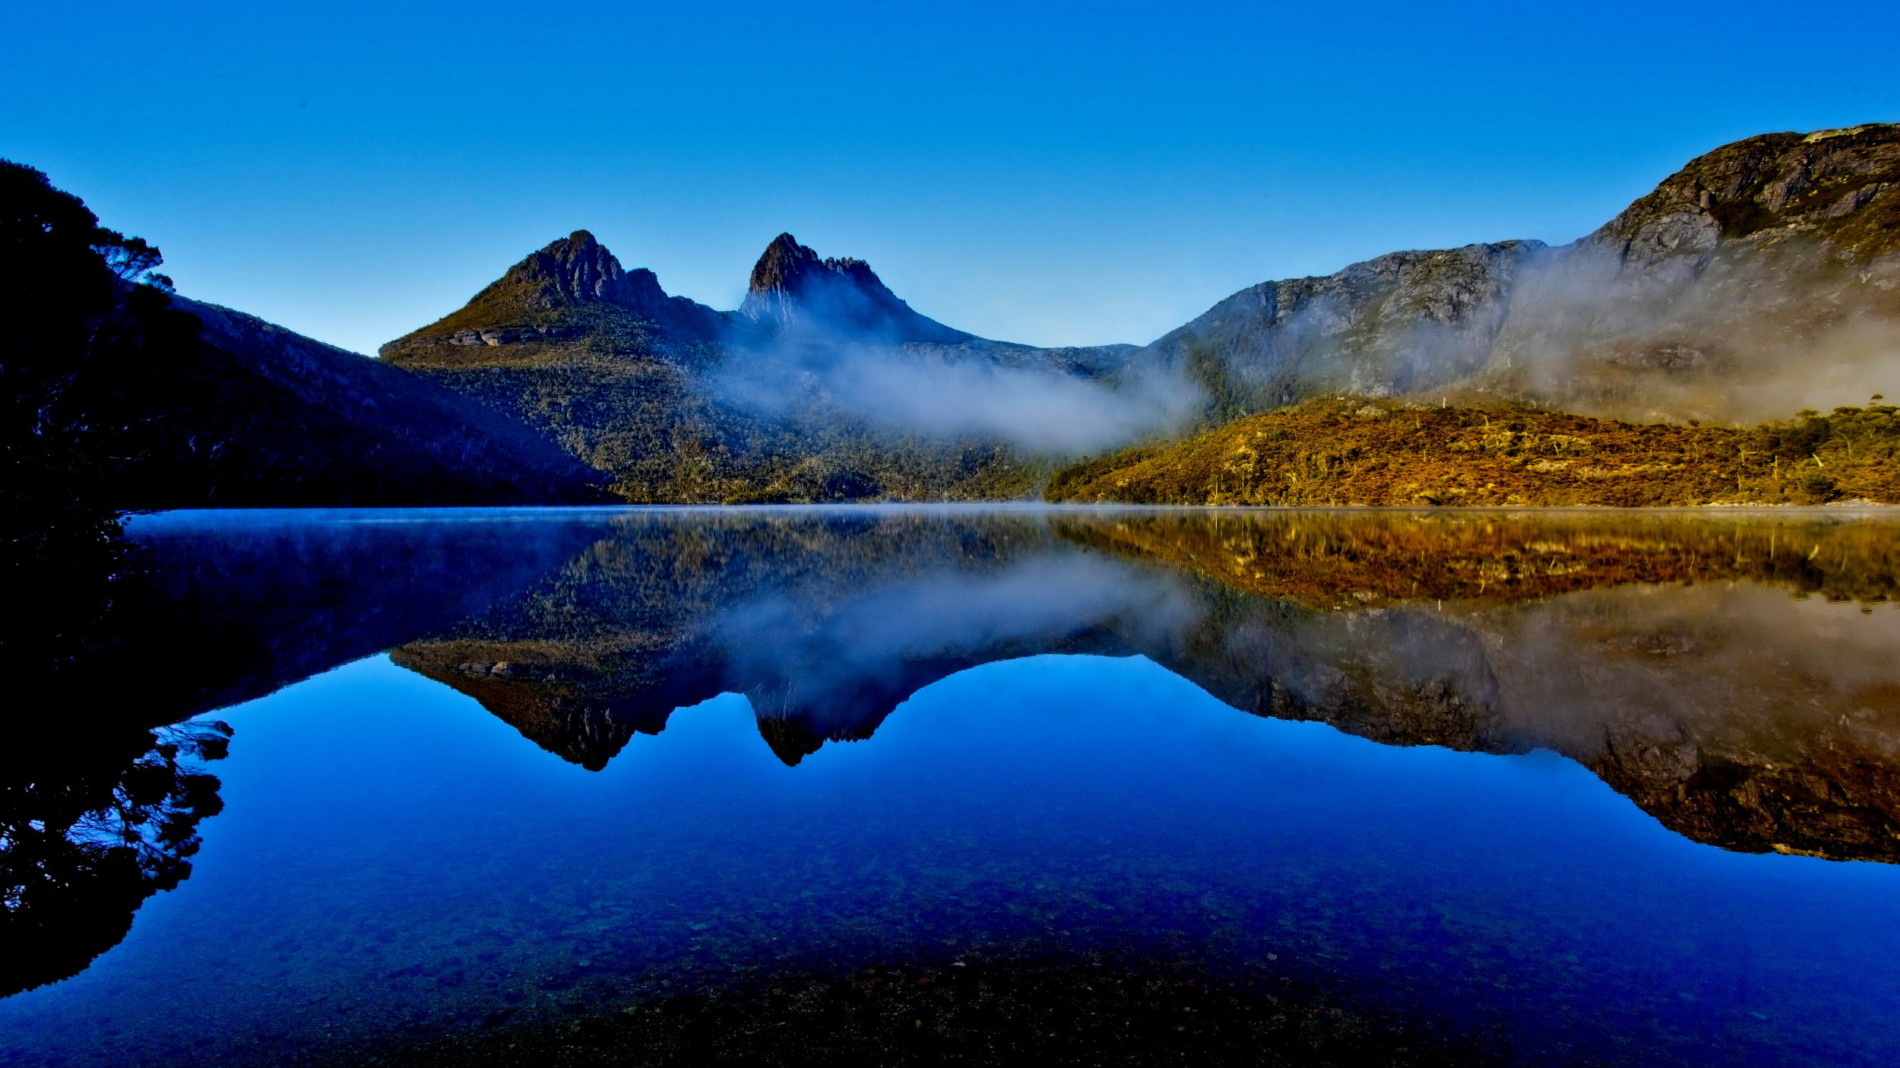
x=1732 y=712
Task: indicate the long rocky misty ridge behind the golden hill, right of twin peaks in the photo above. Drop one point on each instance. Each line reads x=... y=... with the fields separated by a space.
x=1760 y=278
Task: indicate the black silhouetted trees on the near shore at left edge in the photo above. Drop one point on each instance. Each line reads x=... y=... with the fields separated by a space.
x=88 y=326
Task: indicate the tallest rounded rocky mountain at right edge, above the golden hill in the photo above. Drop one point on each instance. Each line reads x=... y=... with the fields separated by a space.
x=1760 y=278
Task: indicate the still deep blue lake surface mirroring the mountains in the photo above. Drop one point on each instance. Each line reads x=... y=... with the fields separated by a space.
x=1565 y=788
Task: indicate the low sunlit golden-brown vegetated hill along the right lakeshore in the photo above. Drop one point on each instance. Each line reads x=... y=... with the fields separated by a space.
x=1350 y=451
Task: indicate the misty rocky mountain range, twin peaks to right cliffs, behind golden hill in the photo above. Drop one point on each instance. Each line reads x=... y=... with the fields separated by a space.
x=1757 y=280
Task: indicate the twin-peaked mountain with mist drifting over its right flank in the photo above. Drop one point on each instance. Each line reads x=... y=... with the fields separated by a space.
x=778 y=400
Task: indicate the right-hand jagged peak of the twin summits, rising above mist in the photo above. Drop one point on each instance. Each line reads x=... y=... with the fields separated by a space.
x=793 y=290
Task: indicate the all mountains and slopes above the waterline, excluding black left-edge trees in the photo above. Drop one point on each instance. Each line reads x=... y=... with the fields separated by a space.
x=1684 y=353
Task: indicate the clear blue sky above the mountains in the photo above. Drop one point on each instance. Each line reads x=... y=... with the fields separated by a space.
x=1055 y=174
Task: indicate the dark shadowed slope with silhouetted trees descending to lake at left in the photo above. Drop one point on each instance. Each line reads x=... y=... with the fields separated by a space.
x=121 y=396
